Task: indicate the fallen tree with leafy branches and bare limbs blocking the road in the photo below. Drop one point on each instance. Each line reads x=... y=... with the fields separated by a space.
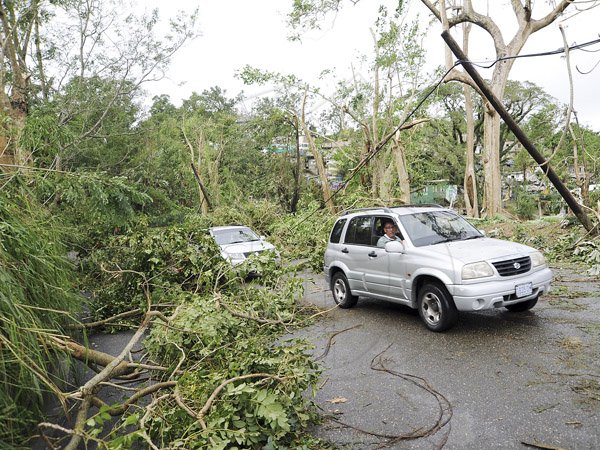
x=214 y=371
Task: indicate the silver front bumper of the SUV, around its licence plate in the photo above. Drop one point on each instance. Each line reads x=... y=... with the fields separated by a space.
x=498 y=293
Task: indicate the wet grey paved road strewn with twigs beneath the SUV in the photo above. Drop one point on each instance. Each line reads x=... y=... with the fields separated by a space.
x=495 y=381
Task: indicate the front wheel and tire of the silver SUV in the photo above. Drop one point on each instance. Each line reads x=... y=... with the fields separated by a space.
x=436 y=307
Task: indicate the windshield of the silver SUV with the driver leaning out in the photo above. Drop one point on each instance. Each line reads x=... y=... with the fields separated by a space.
x=434 y=227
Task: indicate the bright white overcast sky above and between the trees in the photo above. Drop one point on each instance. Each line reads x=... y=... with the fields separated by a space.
x=236 y=33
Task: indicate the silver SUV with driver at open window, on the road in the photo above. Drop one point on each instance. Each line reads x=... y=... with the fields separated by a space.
x=436 y=262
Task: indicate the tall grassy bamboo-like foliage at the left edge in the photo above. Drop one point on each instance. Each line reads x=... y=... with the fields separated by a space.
x=37 y=297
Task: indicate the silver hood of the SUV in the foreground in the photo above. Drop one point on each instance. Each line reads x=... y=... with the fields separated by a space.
x=481 y=249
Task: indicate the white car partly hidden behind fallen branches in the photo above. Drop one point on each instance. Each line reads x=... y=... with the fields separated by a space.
x=238 y=243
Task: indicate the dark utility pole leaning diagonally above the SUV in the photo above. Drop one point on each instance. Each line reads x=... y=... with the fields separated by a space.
x=519 y=134
